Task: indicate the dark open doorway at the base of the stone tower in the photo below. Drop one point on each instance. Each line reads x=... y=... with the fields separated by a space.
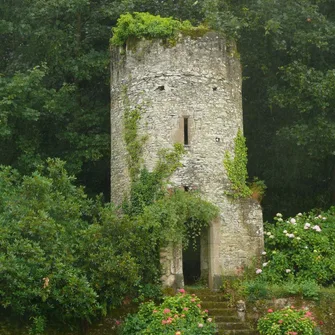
x=191 y=263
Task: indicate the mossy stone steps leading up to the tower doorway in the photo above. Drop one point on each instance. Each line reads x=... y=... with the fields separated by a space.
x=225 y=316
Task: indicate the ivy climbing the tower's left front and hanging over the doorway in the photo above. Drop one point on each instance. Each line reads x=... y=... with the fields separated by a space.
x=167 y=214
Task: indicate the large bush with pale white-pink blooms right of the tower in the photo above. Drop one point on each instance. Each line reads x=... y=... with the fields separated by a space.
x=300 y=248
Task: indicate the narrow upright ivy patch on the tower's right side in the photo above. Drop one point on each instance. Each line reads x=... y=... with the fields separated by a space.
x=236 y=168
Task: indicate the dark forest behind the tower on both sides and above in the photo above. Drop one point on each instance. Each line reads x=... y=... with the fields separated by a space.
x=54 y=88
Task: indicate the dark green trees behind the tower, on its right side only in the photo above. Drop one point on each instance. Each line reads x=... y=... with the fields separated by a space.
x=287 y=52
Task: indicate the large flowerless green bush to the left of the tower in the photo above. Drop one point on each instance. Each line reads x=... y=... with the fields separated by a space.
x=54 y=262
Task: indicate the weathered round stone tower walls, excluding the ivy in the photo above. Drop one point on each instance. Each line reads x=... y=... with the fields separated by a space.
x=192 y=95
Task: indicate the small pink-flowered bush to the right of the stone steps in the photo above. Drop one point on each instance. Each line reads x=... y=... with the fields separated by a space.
x=288 y=321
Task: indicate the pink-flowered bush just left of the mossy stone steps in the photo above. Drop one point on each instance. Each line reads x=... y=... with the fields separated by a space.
x=180 y=315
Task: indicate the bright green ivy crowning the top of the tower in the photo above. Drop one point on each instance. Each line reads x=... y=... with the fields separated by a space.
x=139 y=25
